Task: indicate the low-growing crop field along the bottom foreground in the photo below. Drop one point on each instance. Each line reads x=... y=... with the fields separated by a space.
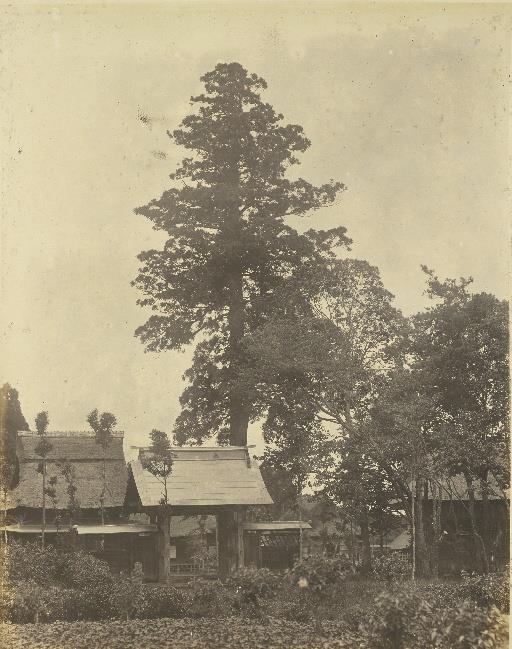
x=229 y=633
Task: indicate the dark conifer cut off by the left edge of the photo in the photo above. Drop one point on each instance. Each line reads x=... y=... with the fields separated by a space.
x=11 y=422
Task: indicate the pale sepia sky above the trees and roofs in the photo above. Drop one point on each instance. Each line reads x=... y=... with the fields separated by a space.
x=407 y=104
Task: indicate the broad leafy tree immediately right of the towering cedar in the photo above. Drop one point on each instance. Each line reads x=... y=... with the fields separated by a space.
x=330 y=349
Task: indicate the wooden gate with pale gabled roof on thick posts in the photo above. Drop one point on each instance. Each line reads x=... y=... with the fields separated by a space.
x=219 y=481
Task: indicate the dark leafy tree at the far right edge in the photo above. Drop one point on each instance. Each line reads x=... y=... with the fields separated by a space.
x=461 y=345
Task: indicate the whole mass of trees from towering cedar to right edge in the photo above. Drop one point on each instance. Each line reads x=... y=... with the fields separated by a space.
x=377 y=409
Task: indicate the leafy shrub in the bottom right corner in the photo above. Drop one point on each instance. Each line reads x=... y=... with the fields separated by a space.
x=469 y=627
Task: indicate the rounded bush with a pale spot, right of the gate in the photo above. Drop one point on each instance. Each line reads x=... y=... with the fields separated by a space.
x=318 y=573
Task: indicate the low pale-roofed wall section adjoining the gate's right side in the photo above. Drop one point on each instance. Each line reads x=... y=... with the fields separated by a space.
x=275 y=545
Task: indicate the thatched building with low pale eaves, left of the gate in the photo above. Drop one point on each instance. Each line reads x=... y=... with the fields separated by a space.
x=119 y=542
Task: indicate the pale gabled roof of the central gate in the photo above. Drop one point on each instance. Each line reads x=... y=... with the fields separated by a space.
x=204 y=476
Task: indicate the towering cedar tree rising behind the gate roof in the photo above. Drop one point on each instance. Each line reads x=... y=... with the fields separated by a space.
x=229 y=243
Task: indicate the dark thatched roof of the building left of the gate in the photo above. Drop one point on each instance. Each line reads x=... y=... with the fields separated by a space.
x=85 y=456
